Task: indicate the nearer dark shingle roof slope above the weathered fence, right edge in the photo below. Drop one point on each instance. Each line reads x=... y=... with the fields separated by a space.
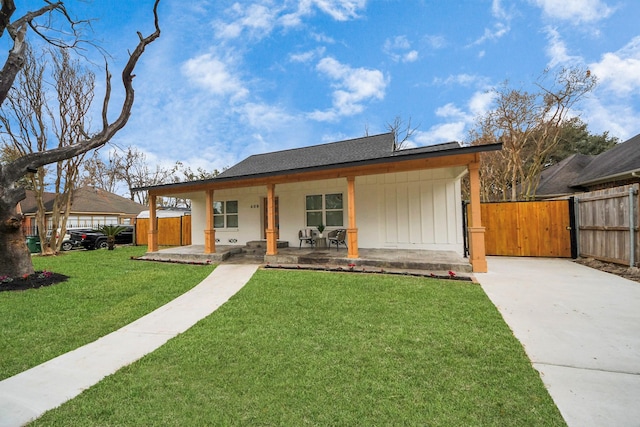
x=623 y=158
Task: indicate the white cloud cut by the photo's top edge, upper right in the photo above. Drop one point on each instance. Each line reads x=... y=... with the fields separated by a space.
x=576 y=11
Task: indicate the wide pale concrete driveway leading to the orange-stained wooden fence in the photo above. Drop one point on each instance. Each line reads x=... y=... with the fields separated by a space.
x=581 y=329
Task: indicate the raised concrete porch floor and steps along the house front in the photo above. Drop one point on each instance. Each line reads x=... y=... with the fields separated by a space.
x=372 y=260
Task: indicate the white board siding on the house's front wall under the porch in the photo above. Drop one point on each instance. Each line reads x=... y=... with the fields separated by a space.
x=405 y=210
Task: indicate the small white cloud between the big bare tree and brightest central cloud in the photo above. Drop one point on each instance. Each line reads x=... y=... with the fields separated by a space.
x=213 y=74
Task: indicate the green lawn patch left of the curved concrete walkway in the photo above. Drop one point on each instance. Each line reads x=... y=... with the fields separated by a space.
x=106 y=290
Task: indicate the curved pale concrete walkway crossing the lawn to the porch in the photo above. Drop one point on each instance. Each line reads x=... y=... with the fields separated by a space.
x=30 y=394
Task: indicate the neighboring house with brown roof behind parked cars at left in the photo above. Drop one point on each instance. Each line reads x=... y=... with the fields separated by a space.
x=90 y=207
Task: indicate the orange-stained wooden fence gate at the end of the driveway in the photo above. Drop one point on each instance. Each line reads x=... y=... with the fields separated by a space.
x=537 y=229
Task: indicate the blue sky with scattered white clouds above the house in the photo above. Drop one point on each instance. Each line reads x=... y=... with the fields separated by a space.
x=228 y=79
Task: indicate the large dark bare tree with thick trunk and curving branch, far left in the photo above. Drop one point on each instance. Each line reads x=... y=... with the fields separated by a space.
x=14 y=256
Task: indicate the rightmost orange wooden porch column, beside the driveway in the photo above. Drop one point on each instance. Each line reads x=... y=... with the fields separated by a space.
x=476 y=230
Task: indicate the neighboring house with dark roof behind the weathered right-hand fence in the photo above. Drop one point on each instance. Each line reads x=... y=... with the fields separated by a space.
x=580 y=173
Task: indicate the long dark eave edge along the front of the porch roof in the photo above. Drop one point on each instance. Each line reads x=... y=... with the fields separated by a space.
x=398 y=156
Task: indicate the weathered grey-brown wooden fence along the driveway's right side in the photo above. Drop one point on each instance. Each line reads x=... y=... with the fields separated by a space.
x=607 y=223
